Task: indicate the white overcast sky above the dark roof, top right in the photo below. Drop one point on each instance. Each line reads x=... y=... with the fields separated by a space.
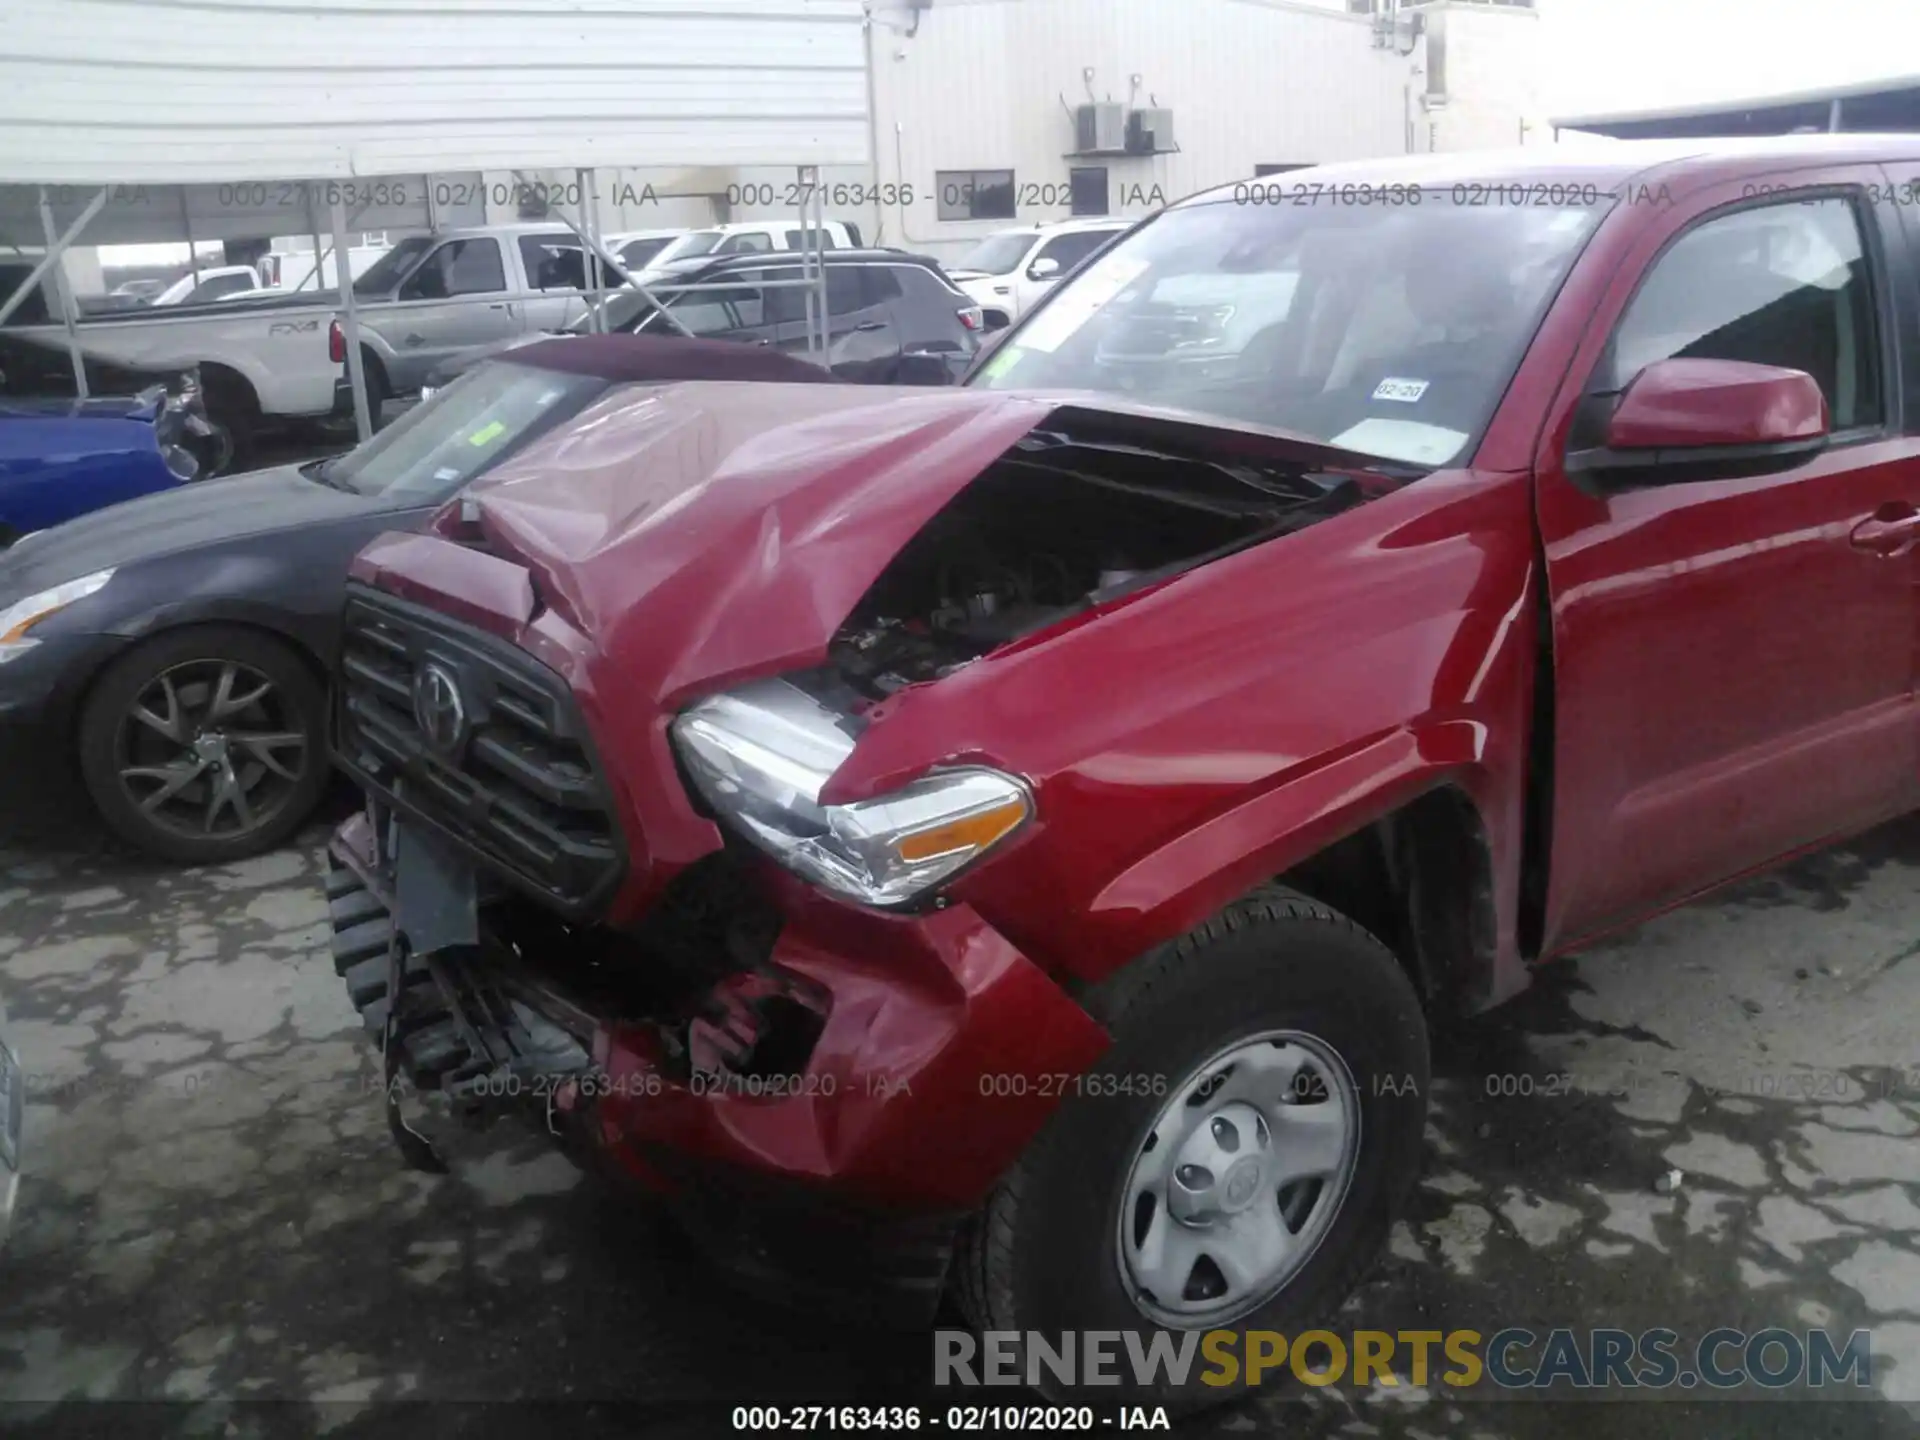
x=1637 y=55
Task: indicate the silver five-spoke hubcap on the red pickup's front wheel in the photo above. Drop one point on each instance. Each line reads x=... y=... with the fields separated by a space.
x=1237 y=1180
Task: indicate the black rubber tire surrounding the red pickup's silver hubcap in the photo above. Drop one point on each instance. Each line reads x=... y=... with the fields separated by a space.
x=1049 y=1251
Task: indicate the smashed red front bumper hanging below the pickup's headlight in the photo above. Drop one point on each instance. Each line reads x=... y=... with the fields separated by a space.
x=821 y=1116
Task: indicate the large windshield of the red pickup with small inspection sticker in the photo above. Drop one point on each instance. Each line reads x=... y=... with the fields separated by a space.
x=1389 y=329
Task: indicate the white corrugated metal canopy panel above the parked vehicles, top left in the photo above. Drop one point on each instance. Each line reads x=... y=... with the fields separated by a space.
x=168 y=91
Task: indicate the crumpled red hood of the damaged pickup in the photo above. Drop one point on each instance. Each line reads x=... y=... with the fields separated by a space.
x=709 y=529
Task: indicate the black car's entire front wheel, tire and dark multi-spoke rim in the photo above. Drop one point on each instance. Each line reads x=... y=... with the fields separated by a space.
x=245 y=748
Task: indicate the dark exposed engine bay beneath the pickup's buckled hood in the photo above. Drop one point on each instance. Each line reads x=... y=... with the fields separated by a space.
x=1072 y=517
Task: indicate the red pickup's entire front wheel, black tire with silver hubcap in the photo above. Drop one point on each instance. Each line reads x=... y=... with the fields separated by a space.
x=1236 y=1161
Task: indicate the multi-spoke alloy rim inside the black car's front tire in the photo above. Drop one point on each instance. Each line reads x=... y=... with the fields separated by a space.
x=212 y=750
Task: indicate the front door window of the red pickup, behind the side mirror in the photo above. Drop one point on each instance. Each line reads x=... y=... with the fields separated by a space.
x=1779 y=285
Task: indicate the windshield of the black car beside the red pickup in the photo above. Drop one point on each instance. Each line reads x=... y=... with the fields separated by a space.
x=462 y=431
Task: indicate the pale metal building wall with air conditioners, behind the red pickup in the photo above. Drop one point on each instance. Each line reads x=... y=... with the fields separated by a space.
x=990 y=84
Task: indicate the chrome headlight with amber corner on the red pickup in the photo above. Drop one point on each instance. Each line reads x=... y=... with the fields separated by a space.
x=763 y=754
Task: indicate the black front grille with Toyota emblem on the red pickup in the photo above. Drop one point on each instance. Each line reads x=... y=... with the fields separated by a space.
x=516 y=780
